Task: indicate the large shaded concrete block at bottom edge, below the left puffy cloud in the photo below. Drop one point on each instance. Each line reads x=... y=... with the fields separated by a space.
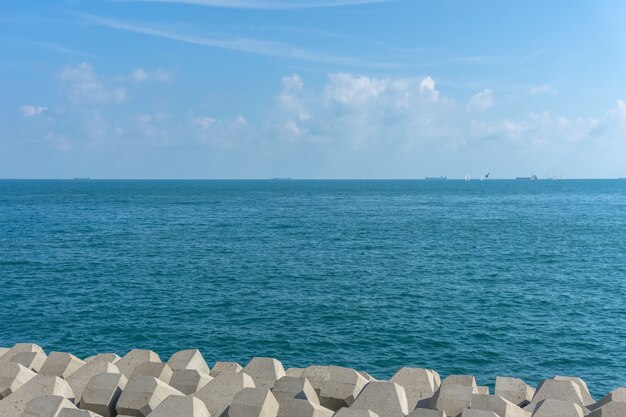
x=102 y=393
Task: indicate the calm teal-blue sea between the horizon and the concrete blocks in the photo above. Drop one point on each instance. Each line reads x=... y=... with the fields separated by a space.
x=487 y=278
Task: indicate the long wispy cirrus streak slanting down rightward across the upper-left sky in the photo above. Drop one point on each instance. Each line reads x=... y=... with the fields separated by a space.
x=254 y=46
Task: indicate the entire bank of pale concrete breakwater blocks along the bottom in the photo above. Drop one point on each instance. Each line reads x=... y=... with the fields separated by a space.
x=58 y=384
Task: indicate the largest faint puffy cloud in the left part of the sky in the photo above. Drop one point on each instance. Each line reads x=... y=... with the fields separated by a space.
x=83 y=86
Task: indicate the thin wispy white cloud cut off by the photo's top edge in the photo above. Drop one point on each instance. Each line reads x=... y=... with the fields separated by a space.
x=266 y=4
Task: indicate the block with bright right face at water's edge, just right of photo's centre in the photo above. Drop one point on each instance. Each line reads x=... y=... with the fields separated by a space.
x=342 y=388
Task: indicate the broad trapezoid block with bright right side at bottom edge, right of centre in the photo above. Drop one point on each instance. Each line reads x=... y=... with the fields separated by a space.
x=387 y=399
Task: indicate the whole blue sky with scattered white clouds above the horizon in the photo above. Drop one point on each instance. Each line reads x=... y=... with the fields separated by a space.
x=312 y=88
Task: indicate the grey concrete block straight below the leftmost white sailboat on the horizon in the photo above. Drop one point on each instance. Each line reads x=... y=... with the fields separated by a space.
x=454 y=395
